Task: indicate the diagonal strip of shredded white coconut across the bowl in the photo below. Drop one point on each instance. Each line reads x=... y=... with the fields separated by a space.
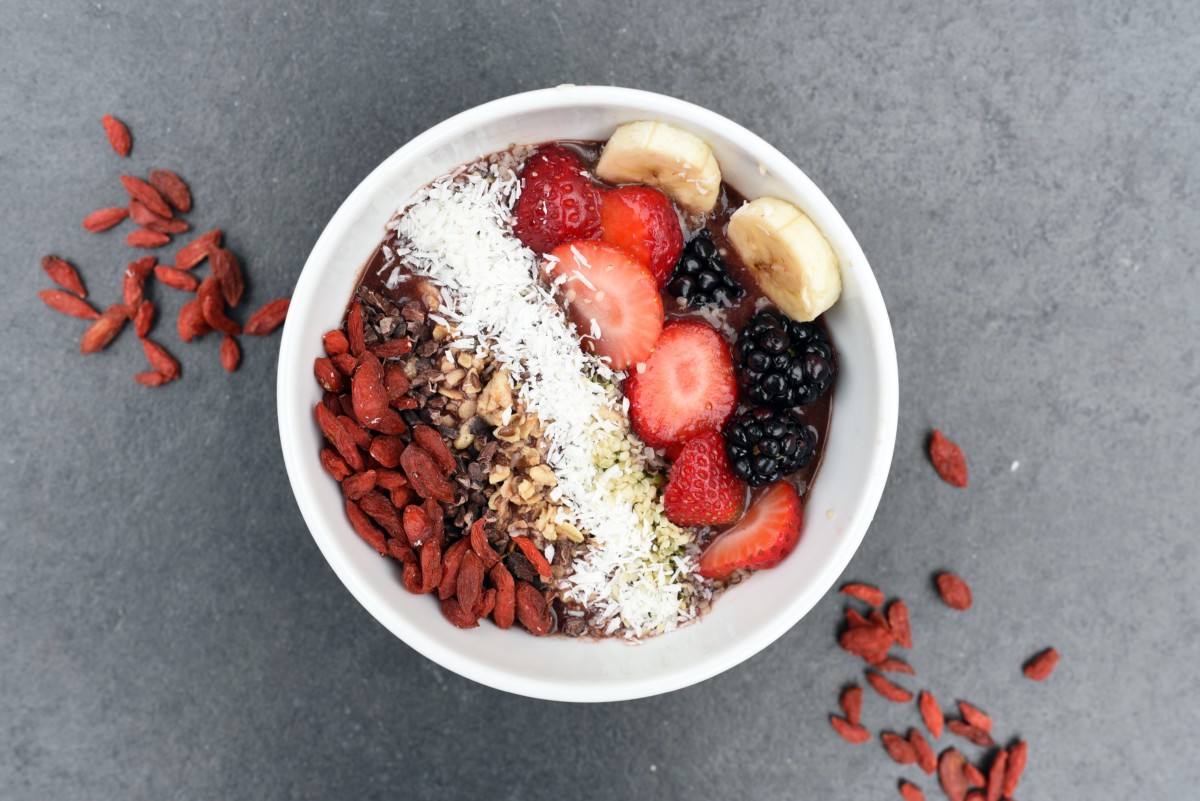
x=637 y=567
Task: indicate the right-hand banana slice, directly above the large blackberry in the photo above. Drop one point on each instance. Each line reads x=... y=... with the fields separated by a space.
x=789 y=256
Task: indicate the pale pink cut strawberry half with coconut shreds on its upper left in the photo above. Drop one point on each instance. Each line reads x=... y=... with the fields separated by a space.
x=609 y=288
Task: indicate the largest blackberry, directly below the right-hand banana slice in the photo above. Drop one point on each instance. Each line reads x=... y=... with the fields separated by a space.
x=783 y=363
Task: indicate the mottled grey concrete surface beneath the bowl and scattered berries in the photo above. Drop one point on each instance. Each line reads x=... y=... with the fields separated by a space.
x=1025 y=179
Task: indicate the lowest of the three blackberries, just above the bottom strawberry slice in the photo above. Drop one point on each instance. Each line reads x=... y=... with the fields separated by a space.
x=765 y=445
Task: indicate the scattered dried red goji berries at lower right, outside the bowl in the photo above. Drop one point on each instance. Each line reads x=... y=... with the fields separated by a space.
x=871 y=639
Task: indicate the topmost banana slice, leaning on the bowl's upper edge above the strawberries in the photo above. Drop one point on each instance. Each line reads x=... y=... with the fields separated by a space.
x=674 y=160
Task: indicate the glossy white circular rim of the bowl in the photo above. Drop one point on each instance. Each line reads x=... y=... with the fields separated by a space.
x=297 y=449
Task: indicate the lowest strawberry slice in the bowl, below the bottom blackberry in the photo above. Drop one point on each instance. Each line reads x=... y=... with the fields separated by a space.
x=765 y=537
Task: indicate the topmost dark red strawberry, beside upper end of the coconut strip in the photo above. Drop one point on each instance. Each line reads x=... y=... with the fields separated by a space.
x=557 y=202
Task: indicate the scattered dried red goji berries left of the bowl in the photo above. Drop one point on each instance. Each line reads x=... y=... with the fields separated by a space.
x=155 y=206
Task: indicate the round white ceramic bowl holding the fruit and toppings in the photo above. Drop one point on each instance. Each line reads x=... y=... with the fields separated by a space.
x=746 y=619
